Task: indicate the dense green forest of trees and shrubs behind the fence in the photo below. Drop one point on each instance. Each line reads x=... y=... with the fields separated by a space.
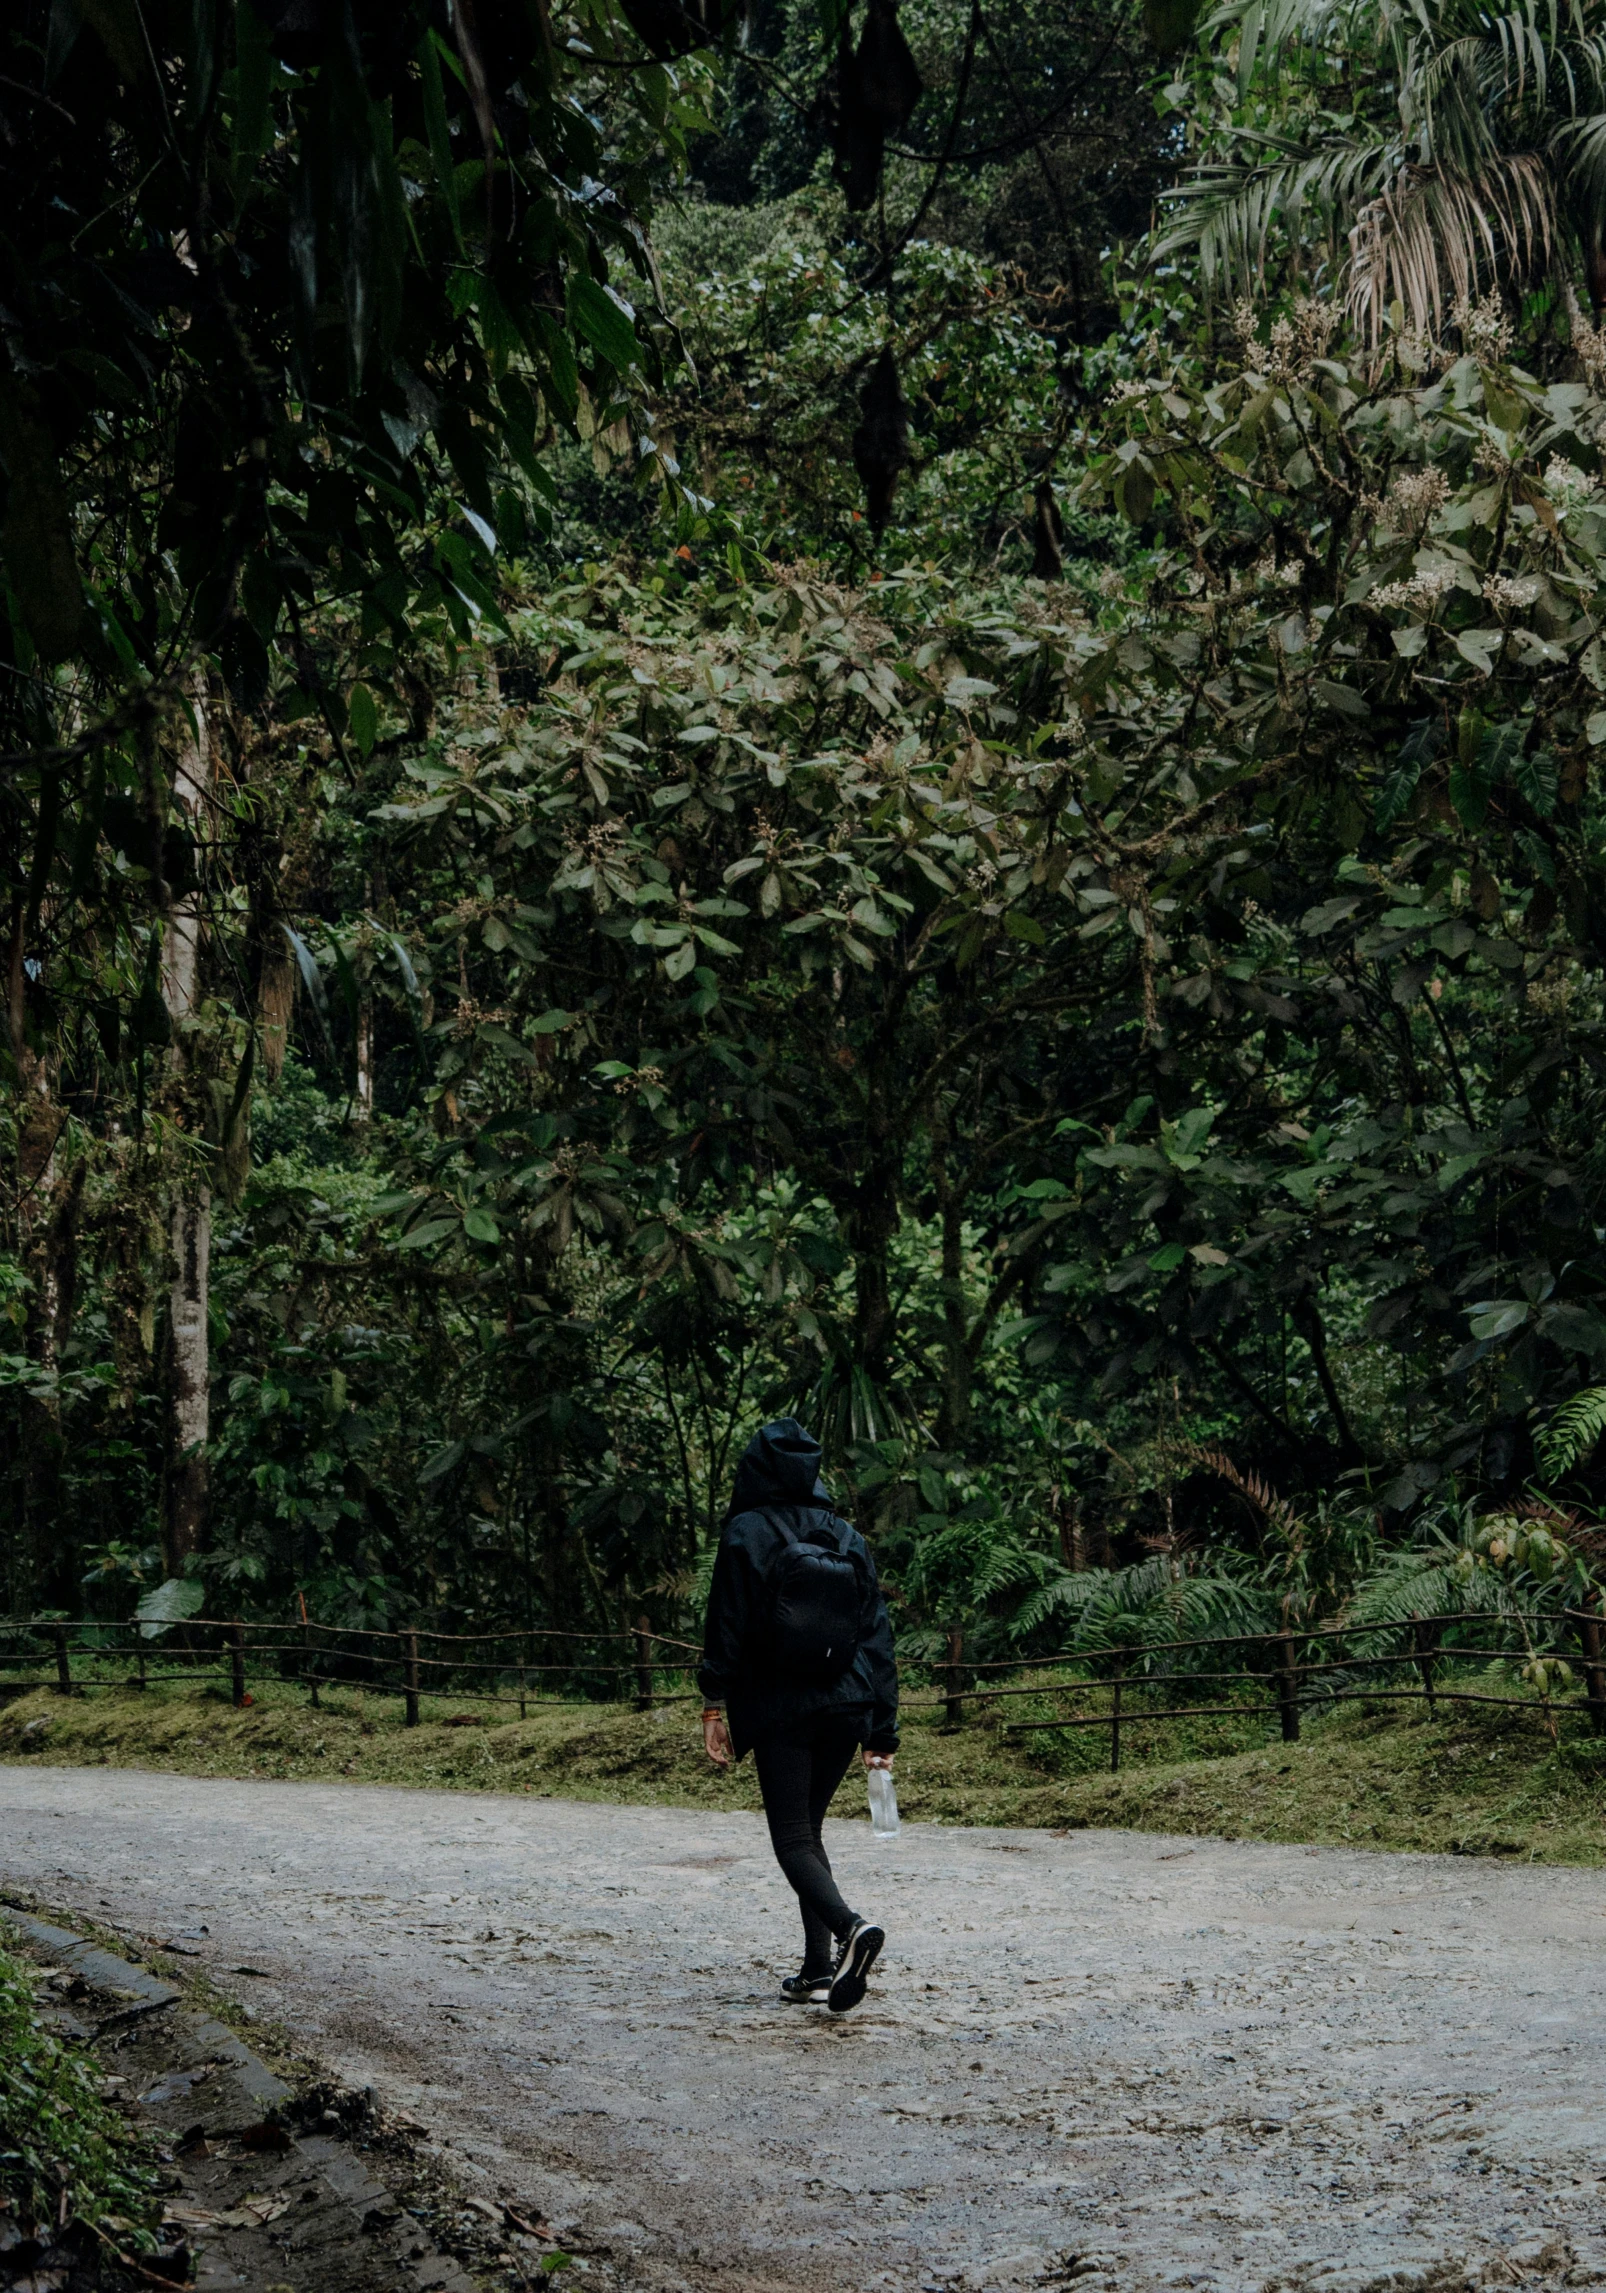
x=873 y=714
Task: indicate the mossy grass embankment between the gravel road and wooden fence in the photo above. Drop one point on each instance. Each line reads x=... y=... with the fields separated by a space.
x=1469 y=1781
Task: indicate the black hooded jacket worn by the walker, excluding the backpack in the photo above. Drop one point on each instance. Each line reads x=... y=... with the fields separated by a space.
x=779 y=1478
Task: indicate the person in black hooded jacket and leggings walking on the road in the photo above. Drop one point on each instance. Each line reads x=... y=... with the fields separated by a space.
x=797 y=1666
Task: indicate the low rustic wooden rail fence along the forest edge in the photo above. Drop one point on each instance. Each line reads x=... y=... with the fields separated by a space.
x=1277 y=1675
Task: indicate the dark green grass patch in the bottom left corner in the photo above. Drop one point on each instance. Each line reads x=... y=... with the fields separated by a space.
x=65 y=2154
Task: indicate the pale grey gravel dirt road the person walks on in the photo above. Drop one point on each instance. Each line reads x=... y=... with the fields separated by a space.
x=1100 y=2060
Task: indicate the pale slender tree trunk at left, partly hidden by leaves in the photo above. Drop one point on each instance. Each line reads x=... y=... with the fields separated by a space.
x=189 y=1356
